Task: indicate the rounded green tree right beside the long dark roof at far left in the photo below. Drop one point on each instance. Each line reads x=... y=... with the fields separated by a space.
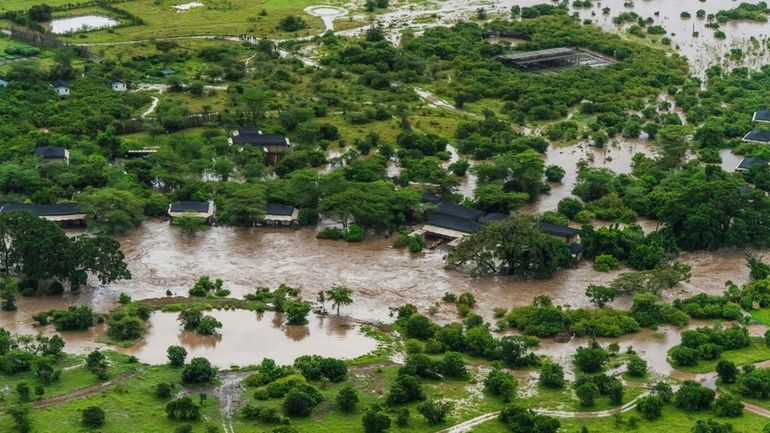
x=111 y=210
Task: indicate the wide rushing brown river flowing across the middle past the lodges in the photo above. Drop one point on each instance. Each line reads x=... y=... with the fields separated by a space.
x=162 y=258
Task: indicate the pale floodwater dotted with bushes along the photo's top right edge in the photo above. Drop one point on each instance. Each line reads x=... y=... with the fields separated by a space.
x=702 y=51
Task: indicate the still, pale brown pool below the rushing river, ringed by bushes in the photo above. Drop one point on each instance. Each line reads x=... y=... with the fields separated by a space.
x=247 y=337
